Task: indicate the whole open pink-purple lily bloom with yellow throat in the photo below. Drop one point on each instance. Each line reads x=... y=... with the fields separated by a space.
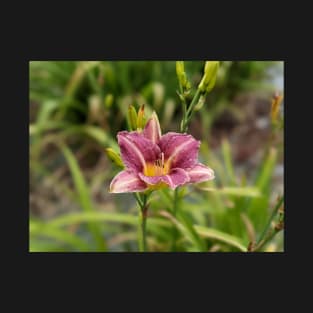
x=154 y=161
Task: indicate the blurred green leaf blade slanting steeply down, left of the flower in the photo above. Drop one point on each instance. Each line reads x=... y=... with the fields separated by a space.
x=83 y=195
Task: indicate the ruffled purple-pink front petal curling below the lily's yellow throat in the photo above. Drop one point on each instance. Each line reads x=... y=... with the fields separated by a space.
x=175 y=178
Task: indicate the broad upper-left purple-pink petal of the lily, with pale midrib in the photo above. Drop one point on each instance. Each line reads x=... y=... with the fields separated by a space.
x=136 y=150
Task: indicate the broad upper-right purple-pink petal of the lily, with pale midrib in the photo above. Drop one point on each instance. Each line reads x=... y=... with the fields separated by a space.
x=180 y=149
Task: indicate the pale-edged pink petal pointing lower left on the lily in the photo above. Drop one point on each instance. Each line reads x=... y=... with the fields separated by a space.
x=127 y=181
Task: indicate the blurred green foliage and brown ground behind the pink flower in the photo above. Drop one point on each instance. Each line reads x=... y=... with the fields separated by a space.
x=76 y=110
